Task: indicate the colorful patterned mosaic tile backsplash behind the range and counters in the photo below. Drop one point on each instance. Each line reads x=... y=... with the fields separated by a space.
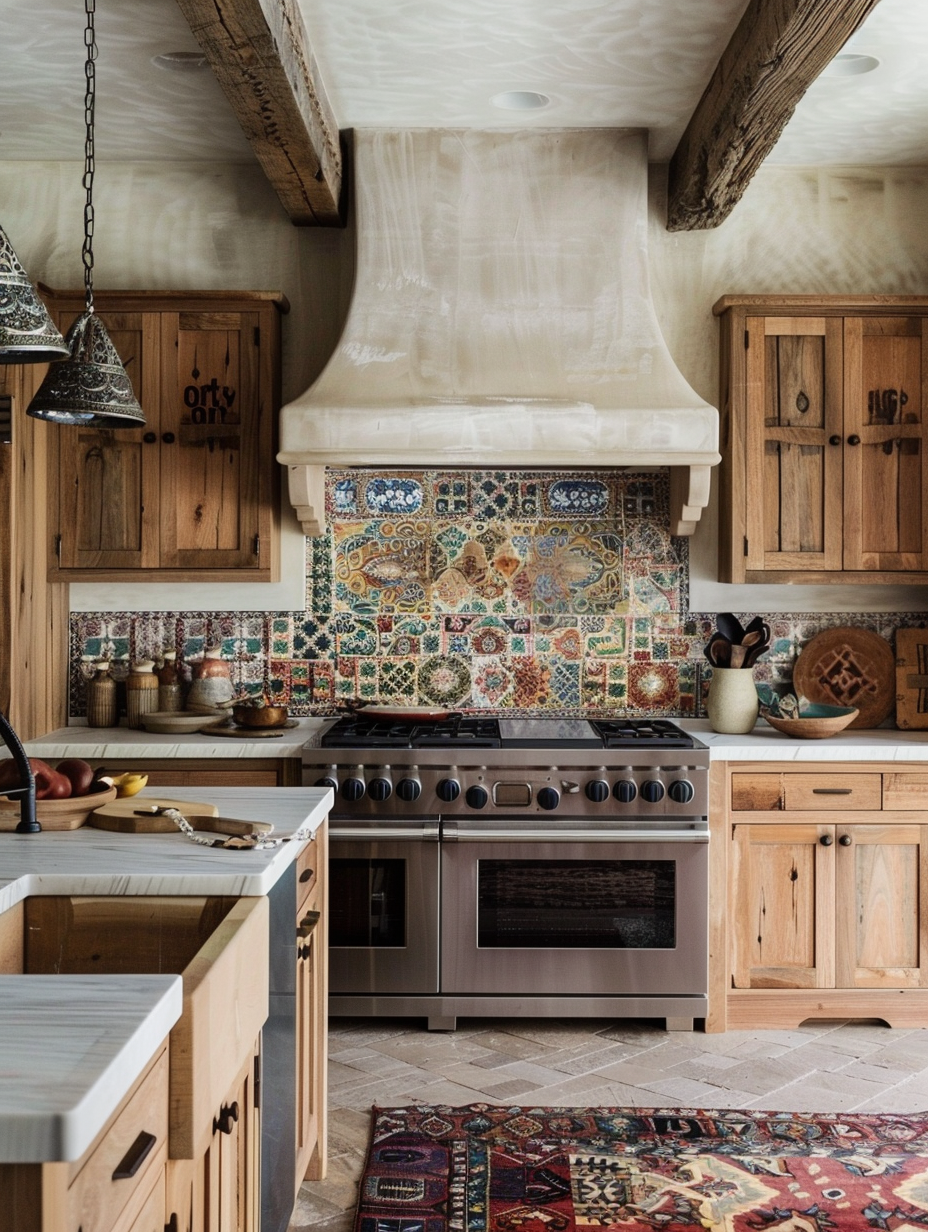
x=526 y=593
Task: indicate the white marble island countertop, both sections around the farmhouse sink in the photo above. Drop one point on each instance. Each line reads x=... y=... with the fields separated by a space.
x=71 y=1048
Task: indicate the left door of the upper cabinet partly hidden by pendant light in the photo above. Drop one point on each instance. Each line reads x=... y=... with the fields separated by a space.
x=107 y=480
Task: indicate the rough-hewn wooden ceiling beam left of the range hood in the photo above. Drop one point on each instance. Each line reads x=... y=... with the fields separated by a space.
x=262 y=59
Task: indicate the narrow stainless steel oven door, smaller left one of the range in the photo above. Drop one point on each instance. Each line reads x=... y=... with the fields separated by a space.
x=384 y=907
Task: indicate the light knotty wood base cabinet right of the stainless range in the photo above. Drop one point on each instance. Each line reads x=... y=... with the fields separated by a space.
x=821 y=910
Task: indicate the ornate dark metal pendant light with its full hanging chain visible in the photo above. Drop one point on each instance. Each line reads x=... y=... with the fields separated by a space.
x=91 y=386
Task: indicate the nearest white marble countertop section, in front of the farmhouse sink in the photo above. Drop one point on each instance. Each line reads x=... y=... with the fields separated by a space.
x=71 y=1049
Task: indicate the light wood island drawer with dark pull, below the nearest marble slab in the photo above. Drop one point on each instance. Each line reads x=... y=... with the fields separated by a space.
x=124 y=1162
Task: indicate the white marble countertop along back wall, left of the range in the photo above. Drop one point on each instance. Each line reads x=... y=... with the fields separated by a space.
x=116 y=744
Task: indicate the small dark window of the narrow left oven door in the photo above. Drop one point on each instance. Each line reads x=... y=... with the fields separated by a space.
x=368 y=904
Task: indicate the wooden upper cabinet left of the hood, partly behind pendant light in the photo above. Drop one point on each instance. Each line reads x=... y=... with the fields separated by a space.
x=193 y=495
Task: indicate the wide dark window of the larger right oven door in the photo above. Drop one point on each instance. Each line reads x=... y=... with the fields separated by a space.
x=577 y=905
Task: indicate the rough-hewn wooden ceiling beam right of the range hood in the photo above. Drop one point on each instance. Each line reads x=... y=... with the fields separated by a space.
x=776 y=54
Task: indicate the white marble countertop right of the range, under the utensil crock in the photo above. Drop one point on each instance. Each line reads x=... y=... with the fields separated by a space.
x=766 y=745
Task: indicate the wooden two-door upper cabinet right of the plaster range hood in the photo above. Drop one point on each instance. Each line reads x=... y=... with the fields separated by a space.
x=824 y=439
